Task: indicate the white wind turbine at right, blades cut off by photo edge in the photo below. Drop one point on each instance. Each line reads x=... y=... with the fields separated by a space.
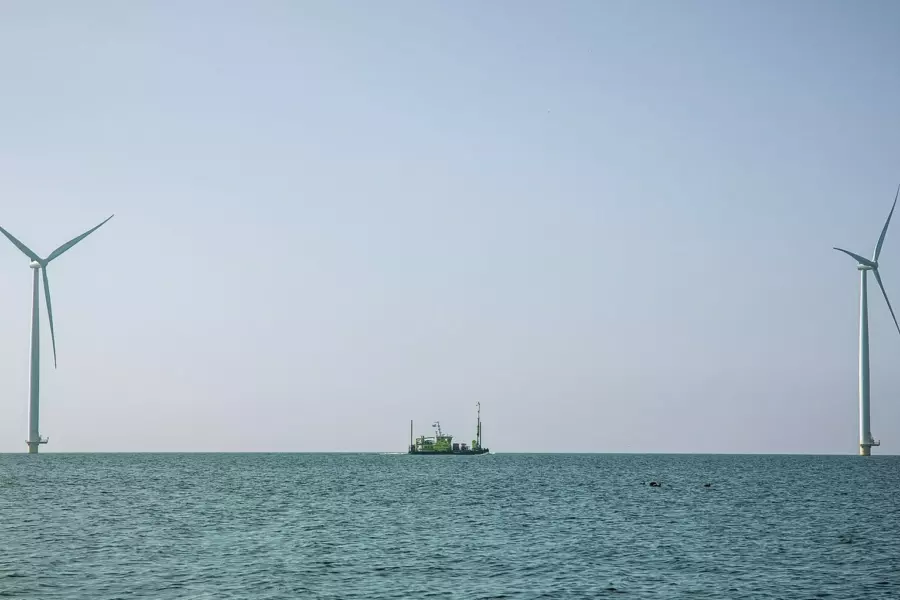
x=864 y=265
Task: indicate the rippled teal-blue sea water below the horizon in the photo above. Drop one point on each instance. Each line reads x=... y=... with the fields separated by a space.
x=261 y=526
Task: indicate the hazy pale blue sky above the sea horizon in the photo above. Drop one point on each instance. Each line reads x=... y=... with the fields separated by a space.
x=610 y=223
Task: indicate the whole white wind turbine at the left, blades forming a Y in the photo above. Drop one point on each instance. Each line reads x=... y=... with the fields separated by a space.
x=40 y=264
